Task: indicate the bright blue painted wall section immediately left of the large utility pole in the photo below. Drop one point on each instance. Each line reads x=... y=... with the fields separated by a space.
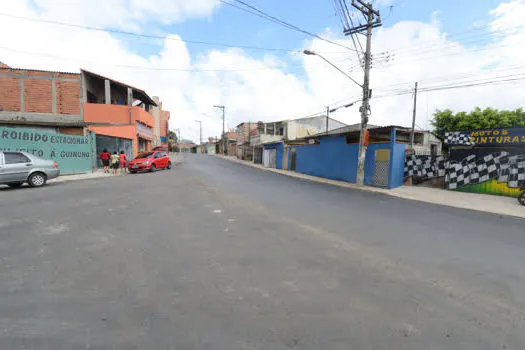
x=331 y=159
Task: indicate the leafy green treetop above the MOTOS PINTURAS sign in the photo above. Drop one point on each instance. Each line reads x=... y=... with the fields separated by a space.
x=488 y=118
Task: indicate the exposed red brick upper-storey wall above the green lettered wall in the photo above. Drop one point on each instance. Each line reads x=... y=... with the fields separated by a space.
x=38 y=91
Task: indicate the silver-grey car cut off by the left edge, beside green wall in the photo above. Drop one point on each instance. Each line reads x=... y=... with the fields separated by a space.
x=17 y=168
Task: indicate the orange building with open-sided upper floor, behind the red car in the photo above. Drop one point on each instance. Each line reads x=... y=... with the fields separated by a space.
x=118 y=113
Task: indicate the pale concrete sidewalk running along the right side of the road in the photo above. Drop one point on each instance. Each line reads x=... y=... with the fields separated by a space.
x=472 y=201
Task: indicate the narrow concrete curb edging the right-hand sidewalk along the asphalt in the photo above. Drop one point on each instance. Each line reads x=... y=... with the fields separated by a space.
x=367 y=189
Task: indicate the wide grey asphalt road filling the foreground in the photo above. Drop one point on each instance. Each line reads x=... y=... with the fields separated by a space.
x=218 y=255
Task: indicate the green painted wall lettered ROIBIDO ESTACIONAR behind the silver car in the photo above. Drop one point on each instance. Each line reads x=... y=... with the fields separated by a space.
x=74 y=154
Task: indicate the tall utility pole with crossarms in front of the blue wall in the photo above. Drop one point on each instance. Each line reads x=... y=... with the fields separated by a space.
x=373 y=20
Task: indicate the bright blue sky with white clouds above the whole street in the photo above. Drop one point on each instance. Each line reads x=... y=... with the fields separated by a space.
x=195 y=54
